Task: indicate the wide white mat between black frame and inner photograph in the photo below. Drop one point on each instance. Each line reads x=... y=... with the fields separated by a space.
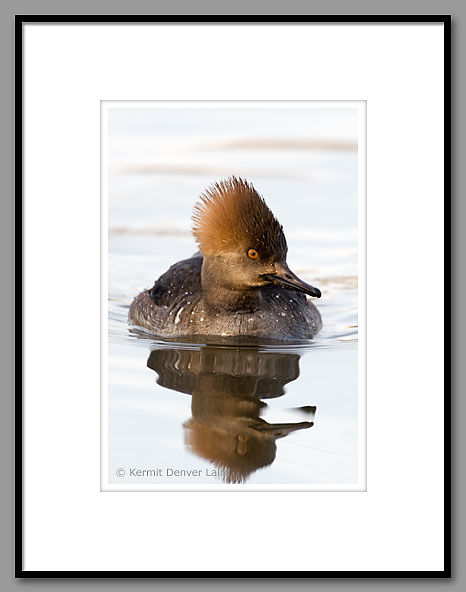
x=398 y=523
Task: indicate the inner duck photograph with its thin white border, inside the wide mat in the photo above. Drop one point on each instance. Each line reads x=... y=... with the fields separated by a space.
x=234 y=428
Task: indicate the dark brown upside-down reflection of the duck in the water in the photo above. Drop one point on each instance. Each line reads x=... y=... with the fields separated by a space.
x=228 y=387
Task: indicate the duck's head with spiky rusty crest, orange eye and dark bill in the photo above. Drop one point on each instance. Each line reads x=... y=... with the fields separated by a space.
x=242 y=242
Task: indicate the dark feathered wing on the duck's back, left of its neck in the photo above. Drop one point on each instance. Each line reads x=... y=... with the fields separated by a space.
x=182 y=279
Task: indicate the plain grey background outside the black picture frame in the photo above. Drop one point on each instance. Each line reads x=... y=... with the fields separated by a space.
x=221 y=7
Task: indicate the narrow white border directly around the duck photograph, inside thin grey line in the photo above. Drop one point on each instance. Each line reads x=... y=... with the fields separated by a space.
x=360 y=106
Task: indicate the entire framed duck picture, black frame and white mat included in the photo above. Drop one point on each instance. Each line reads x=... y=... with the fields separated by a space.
x=233 y=278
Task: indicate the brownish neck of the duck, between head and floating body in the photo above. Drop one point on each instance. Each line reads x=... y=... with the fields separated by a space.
x=219 y=296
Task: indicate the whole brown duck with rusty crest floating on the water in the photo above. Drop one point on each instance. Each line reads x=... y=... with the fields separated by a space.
x=239 y=284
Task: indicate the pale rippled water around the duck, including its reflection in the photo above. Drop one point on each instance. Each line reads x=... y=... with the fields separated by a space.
x=204 y=414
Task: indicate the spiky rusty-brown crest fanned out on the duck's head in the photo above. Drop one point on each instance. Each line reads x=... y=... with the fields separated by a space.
x=231 y=215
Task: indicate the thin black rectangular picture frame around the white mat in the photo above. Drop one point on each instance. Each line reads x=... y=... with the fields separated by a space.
x=20 y=20
